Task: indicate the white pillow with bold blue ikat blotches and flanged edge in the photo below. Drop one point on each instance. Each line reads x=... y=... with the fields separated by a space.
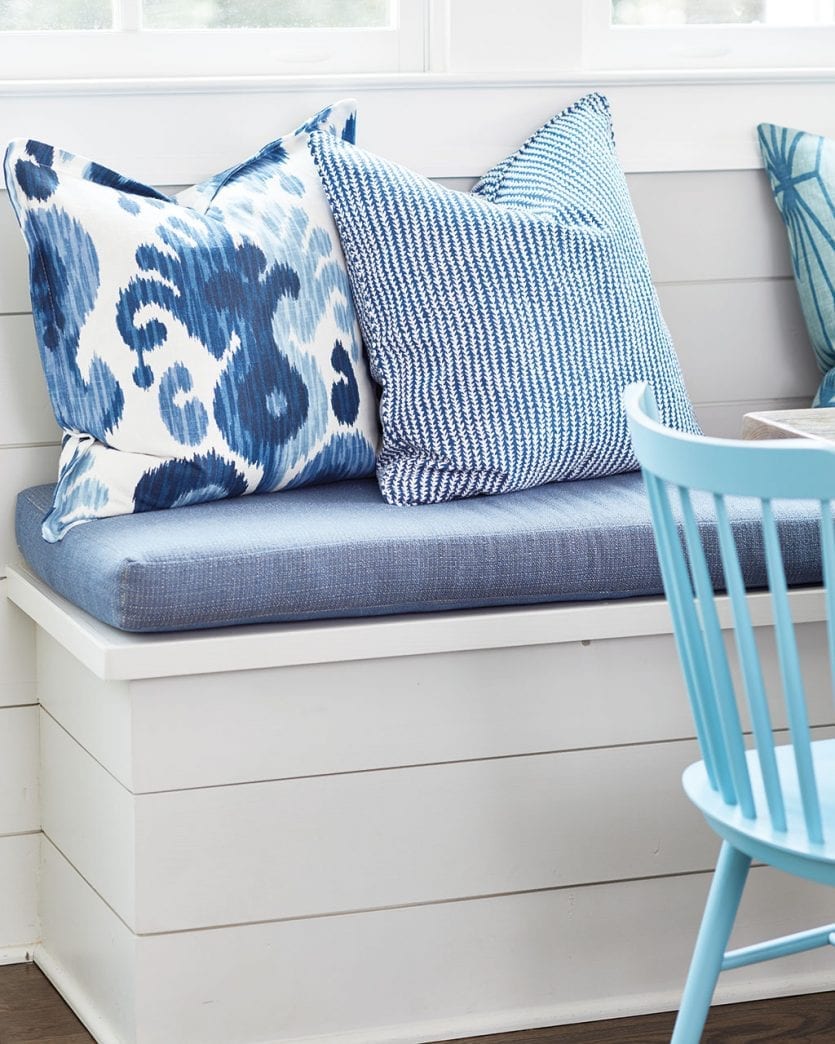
x=197 y=347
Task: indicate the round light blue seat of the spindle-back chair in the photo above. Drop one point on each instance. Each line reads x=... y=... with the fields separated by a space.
x=790 y=850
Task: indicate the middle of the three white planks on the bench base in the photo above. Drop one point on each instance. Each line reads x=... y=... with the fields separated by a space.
x=365 y=841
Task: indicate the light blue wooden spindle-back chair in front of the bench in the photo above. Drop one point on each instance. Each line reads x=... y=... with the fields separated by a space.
x=772 y=803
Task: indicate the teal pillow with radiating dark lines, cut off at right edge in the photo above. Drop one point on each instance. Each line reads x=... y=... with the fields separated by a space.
x=802 y=172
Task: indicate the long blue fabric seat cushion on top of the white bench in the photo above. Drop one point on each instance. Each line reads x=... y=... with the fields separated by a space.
x=339 y=551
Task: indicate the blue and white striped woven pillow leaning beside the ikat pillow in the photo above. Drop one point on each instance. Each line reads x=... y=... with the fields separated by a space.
x=504 y=336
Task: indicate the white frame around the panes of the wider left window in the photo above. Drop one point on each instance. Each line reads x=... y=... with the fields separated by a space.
x=132 y=53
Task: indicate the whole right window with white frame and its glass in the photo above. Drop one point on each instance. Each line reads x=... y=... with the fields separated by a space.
x=709 y=34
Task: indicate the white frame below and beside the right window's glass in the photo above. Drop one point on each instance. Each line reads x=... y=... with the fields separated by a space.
x=607 y=46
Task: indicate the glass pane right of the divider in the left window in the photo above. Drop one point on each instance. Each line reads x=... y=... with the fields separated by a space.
x=265 y=14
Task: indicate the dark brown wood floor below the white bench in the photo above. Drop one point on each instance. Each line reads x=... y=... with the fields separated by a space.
x=33 y=1013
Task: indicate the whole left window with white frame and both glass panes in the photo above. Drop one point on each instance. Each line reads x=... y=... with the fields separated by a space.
x=147 y=39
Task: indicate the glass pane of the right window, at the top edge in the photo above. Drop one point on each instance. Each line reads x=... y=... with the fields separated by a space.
x=723 y=12
